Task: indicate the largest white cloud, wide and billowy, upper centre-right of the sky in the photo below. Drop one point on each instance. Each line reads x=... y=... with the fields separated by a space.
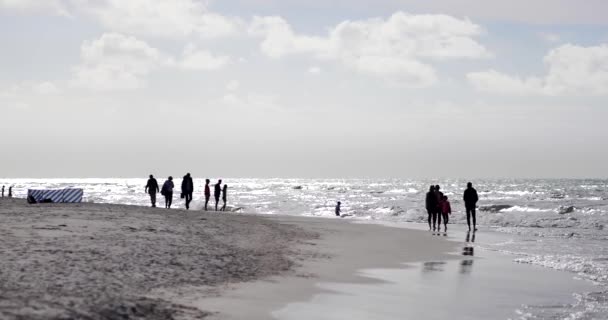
x=393 y=48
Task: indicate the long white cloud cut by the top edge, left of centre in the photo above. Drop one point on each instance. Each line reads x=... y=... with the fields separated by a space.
x=161 y=18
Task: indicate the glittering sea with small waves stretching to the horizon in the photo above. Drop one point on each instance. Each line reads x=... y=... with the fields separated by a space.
x=559 y=223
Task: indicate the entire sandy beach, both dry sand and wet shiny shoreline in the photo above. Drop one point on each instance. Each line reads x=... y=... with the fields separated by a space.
x=100 y=261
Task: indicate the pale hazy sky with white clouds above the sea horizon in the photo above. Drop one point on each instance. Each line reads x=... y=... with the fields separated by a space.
x=304 y=88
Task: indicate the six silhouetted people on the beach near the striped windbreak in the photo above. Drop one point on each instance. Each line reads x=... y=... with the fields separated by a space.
x=187 y=191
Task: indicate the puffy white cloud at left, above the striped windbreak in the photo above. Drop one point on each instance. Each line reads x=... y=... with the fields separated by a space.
x=115 y=61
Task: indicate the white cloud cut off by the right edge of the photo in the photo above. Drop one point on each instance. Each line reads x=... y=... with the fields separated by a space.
x=572 y=70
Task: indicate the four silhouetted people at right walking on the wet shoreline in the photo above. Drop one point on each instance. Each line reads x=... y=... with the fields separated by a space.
x=438 y=207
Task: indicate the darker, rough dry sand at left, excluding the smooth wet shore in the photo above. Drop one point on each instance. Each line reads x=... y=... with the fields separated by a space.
x=95 y=261
